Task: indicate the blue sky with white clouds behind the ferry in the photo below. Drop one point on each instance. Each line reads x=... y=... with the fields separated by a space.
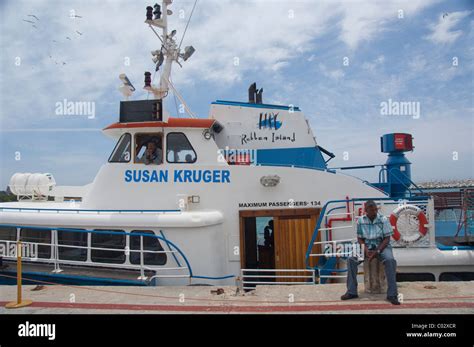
x=339 y=61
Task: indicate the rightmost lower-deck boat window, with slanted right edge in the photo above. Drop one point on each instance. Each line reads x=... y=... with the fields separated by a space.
x=149 y=244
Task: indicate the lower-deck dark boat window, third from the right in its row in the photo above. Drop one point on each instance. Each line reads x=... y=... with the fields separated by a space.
x=73 y=240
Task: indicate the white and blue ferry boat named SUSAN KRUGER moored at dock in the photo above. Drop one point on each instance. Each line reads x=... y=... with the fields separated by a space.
x=243 y=196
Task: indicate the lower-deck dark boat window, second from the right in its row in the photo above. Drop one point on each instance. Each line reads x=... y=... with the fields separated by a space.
x=116 y=244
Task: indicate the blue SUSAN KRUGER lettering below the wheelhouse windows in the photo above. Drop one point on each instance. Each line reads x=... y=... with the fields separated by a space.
x=178 y=176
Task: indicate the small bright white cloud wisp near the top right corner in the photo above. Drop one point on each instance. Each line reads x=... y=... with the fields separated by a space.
x=441 y=32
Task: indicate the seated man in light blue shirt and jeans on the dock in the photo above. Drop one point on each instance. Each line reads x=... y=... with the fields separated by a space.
x=373 y=234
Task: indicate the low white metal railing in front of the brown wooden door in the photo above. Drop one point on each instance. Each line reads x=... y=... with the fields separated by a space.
x=253 y=277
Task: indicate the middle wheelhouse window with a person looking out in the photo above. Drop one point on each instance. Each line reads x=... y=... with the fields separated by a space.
x=149 y=149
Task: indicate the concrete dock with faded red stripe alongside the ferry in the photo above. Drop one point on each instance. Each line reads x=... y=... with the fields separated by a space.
x=417 y=297
